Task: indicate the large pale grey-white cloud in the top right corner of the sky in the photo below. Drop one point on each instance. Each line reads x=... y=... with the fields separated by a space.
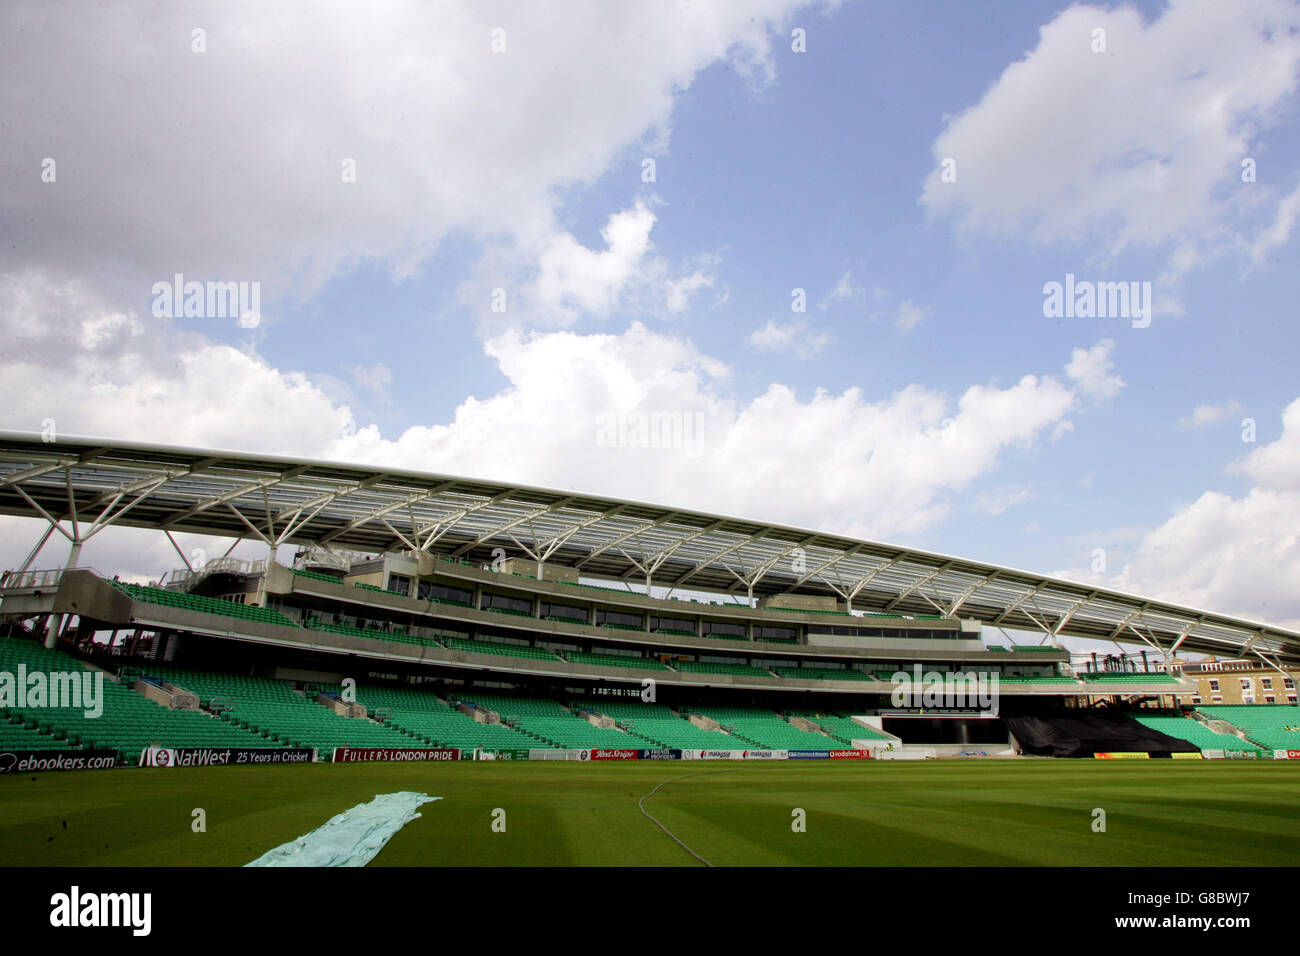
x=1141 y=145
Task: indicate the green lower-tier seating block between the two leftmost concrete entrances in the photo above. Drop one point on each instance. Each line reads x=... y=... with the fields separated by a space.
x=275 y=710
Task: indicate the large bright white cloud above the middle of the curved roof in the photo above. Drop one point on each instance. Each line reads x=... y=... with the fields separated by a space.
x=834 y=461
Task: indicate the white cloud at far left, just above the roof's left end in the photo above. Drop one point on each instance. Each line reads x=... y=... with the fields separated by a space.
x=131 y=377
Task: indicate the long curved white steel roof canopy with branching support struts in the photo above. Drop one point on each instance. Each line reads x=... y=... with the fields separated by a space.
x=83 y=486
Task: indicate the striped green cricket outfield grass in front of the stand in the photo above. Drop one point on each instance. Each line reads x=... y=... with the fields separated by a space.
x=1169 y=814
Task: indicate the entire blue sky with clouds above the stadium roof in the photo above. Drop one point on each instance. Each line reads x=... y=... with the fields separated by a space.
x=820 y=239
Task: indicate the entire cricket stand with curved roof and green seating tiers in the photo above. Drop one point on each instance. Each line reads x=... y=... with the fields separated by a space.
x=430 y=618
